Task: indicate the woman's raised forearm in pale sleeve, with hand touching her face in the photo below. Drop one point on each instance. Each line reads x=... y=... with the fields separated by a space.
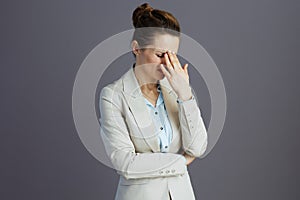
x=194 y=136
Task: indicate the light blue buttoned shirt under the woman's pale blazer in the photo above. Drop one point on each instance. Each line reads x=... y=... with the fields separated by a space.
x=161 y=121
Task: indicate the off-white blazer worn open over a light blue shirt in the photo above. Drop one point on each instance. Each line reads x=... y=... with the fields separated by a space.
x=132 y=145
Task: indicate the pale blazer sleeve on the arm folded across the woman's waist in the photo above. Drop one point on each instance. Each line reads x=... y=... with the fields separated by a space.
x=120 y=148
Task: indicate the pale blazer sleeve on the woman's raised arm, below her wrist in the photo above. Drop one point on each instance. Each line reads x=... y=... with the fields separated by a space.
x=194 y=134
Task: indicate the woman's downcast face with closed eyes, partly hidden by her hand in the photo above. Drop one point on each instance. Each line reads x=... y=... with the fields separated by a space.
x=150 y=58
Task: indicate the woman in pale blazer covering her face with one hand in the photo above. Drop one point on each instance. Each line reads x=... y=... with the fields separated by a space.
x=150 y=122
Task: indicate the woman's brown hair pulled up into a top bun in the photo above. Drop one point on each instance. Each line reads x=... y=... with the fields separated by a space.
x=146 y=16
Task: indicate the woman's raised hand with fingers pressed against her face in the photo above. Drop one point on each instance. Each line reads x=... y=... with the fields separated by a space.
x=177 y=76
